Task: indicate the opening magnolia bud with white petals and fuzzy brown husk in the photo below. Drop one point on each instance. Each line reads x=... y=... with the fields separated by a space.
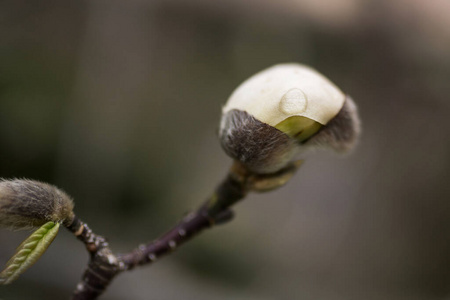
x=283 y=111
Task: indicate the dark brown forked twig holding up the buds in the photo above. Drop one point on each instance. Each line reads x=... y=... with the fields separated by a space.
x=103 y=265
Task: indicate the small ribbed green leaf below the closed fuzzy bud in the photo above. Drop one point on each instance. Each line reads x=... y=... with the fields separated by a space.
x=29 y=252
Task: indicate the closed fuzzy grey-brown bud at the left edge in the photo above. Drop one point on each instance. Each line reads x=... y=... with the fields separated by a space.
x=26 y=203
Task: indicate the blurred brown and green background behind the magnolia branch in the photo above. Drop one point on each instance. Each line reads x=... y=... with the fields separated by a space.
x=118 y=103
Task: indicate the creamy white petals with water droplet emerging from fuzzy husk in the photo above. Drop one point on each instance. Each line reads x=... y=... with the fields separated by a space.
x=286 y=90
